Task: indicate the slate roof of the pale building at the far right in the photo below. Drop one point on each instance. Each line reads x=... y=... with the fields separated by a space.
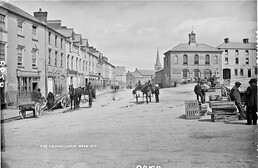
x=237 y=45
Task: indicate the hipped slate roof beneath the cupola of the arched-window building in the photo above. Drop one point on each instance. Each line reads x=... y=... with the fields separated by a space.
x=194 y=48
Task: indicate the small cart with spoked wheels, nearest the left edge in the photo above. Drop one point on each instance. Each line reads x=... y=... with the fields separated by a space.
x=28 y=102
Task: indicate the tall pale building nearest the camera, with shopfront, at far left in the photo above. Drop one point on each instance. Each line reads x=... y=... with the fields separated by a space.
x=23 y=49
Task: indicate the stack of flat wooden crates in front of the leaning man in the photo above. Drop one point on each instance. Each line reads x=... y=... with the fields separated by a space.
x=223 y=111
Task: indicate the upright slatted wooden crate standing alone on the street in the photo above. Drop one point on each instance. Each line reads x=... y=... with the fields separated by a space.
x=192 y=109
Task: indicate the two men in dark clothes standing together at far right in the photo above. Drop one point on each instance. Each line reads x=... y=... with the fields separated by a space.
x=250 y=100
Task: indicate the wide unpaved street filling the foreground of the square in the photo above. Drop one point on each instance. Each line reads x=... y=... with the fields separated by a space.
x=118 y=133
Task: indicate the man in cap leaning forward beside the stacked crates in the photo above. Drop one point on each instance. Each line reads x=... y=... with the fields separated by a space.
x=235 y=96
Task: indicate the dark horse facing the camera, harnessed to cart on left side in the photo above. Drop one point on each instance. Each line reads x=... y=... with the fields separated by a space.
x=75 y=96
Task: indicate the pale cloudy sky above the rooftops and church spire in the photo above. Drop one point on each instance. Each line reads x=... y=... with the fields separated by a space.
x=129 y=32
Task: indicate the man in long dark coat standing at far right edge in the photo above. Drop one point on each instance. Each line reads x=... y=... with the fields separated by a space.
x=251 y=102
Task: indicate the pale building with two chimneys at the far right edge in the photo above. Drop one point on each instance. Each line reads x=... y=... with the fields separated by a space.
x=238 y=59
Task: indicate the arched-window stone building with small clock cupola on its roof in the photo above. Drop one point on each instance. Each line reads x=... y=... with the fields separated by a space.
x=190 y=61
